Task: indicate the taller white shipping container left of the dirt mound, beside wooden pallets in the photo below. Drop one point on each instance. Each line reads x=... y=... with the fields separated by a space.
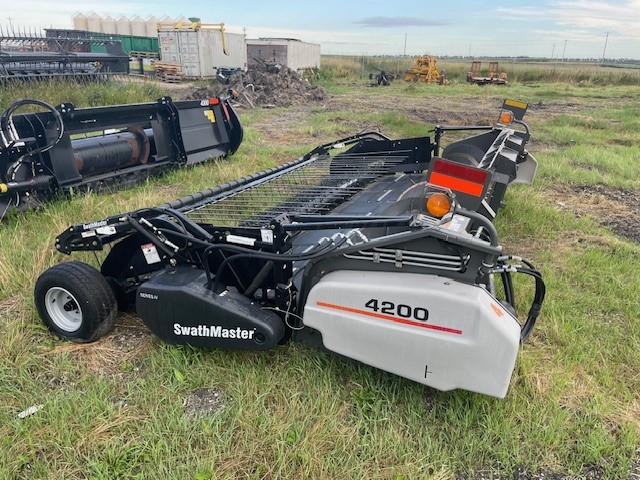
x=199 y=51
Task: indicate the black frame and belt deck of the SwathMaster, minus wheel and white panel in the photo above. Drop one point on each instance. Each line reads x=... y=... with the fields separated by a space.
x=233 y=266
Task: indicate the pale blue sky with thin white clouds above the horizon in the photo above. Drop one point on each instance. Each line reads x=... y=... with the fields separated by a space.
x=544 y=28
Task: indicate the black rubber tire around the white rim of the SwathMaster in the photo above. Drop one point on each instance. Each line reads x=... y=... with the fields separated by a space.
x=96 y=301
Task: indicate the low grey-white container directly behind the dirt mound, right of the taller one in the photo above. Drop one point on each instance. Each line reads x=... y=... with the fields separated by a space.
x=288 y=52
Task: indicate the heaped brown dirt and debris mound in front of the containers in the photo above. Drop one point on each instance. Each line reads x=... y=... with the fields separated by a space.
x=265 y=85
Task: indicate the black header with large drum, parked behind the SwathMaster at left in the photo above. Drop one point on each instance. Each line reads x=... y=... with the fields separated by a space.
x=61 y=149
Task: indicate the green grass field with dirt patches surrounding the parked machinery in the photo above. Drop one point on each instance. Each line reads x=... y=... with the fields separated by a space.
x=121 y=408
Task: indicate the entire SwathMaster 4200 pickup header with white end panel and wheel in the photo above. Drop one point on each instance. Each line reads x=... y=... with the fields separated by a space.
x=379 y=250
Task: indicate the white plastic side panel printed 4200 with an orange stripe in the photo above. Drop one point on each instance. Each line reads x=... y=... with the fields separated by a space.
x=468 y=340
